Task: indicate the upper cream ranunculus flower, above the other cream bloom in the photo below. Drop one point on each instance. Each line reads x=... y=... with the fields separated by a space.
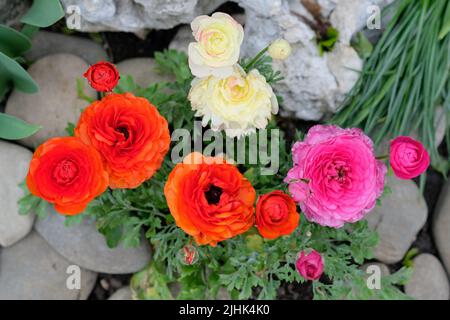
x=218 y=45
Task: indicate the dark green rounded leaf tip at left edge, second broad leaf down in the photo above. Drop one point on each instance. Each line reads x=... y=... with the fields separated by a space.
x=13 y=43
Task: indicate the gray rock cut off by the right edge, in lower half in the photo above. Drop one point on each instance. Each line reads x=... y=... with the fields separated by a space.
x=441 y=225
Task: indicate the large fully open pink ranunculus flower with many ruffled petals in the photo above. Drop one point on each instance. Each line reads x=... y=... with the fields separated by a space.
x=336 y=178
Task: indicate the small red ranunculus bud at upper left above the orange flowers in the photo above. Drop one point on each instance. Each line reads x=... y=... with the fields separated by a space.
x=102 y=76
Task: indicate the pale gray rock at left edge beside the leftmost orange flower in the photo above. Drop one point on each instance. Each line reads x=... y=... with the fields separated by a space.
x=14 y=162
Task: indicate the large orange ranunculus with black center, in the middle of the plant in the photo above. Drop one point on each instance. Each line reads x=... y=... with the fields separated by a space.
x=210 y=199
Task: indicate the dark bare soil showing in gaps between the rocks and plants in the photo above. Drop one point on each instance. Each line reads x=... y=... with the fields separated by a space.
x=121 y=46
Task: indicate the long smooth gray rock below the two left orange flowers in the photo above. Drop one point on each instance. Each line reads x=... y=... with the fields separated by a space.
x=86 y=247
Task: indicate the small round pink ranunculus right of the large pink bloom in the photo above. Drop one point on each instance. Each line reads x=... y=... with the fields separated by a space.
x=408 y=158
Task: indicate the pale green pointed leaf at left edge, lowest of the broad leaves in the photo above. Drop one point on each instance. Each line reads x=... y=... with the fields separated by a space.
x=12 y=128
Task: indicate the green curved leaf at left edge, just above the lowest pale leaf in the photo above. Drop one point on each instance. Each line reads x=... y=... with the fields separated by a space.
x=12 y=73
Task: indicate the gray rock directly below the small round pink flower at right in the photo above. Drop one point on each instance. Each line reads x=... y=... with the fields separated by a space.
x=398 y=220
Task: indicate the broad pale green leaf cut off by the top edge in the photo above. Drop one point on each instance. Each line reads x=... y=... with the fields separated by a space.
x=43 y=13
